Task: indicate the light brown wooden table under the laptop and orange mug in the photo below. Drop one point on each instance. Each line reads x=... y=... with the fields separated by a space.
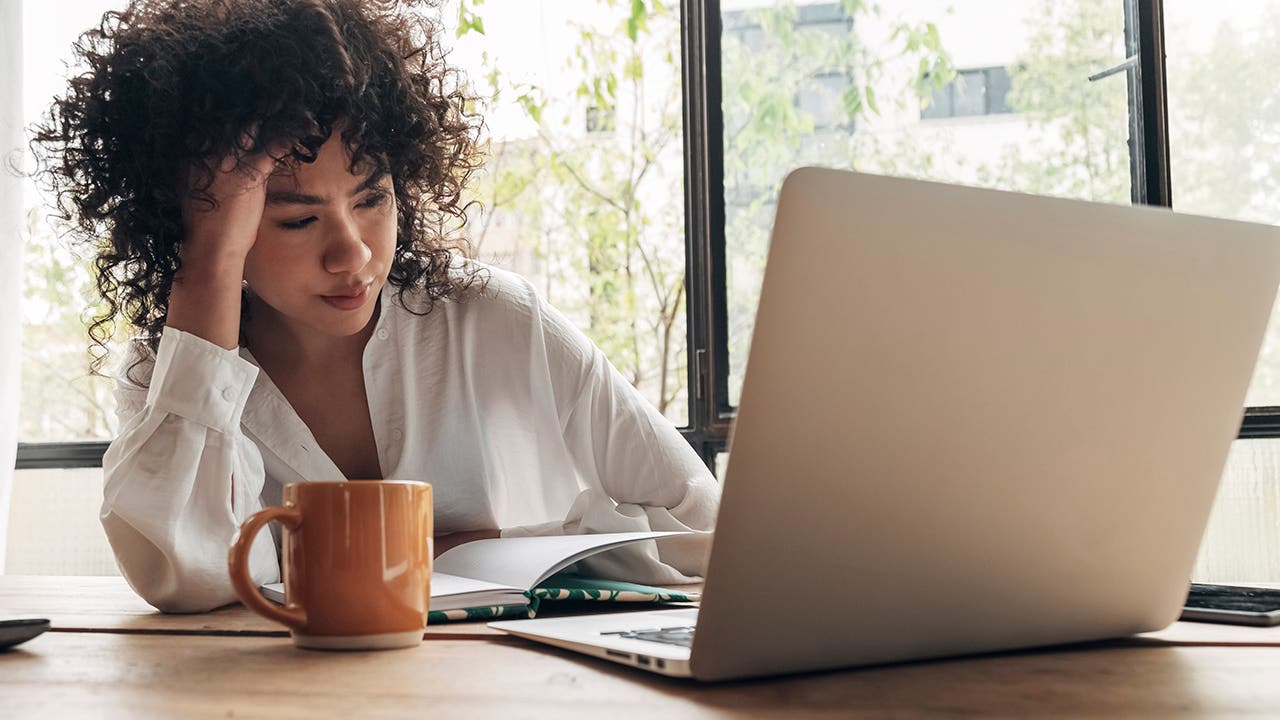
x=112 y=657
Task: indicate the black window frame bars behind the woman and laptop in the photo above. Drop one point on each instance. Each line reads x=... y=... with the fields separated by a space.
x=711 y=416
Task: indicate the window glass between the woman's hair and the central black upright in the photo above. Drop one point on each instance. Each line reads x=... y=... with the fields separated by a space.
x=584 y=188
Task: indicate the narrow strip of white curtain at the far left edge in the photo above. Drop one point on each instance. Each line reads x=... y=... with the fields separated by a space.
x=11 y=250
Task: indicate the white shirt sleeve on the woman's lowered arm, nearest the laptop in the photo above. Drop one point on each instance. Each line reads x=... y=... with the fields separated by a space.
x=641 y=473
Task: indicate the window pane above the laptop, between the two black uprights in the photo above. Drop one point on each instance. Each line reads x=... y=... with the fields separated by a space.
x=1013 y=75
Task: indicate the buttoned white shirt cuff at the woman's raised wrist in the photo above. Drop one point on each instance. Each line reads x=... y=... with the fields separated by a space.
x=200 y=381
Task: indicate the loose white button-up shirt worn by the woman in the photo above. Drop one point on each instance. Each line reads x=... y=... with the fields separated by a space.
x=513 y=414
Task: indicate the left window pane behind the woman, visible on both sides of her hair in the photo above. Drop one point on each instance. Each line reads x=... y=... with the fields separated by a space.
x=582 y=193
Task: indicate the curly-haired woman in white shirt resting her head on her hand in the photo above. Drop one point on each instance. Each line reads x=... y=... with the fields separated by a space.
x=272 y=181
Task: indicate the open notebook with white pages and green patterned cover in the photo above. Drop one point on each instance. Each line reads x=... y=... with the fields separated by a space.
x=508 y=577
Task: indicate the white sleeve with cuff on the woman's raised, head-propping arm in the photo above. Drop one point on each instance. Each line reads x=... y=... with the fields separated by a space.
x=181 y=476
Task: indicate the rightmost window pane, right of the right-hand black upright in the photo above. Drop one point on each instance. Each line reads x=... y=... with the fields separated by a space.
x=1224 y=127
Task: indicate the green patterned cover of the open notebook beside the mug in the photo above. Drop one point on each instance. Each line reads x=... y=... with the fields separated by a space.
x=565 y=589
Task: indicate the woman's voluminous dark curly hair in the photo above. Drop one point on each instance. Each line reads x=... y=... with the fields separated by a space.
x=173 y=86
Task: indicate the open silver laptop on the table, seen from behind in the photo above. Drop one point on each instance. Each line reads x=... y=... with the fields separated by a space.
x=972 y=421
